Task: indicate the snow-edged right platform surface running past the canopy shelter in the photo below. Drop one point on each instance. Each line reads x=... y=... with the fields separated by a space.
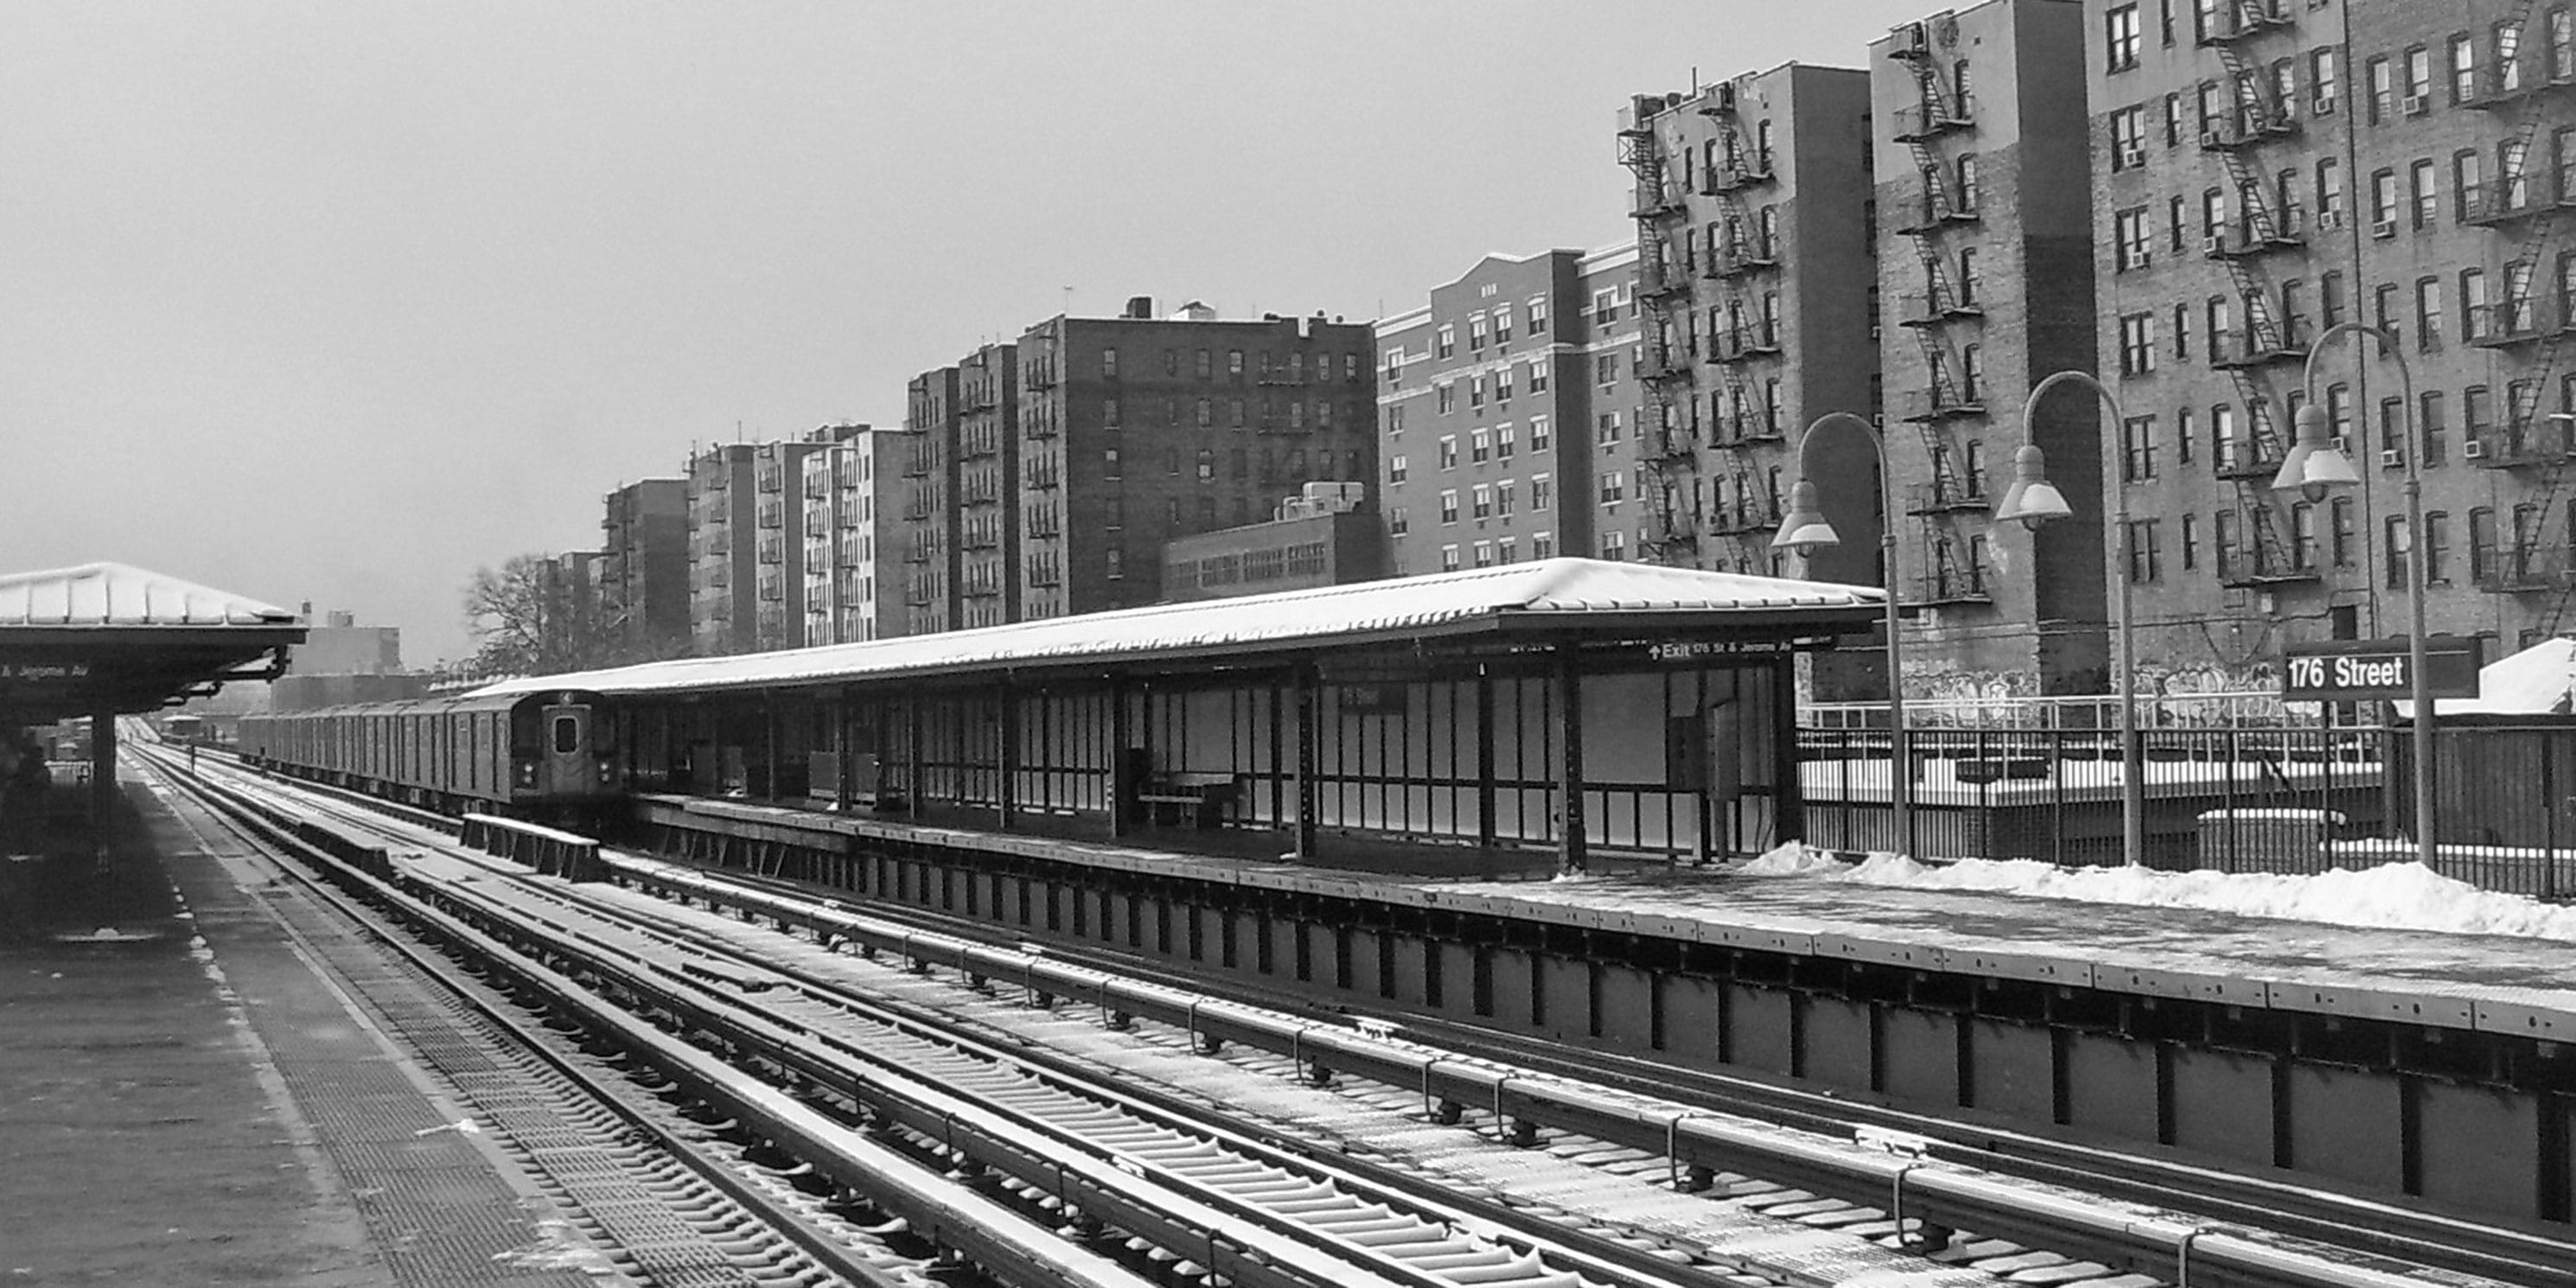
x=2505 y=985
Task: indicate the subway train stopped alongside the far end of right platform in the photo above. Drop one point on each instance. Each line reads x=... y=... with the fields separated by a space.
x=535 y=756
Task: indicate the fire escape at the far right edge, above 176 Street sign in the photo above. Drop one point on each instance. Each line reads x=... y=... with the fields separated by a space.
x=2531 y=84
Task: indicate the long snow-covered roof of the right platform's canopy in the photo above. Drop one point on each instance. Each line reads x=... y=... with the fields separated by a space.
x=1449 y=601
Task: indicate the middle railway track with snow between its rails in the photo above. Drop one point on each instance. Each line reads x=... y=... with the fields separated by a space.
x=1073 y=1158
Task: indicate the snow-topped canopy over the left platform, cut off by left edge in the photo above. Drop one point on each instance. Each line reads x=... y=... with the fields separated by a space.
x=112 y=638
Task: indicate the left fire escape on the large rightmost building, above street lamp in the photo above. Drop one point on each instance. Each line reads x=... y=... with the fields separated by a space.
x=2266 y=225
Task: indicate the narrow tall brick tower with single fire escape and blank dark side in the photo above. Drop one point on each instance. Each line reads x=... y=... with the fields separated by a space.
x=1985 y=287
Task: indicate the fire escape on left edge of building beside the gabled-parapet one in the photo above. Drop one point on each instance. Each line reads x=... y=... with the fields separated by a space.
x=1668 y=452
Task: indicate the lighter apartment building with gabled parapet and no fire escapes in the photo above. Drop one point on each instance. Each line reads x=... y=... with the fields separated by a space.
x=1506 y=411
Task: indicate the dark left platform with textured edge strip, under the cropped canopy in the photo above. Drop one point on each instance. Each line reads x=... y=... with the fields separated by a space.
x=189 y=1094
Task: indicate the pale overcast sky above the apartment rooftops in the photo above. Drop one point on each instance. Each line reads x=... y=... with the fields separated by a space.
x=341 y=300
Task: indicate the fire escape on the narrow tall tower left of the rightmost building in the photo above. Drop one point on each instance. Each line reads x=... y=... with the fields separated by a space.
x=1946 y=308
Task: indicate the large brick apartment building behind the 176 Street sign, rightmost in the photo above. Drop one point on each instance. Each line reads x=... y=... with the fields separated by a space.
x=2266 y=171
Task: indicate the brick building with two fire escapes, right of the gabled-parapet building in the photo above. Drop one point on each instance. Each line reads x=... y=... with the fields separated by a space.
x=1756 y=277
